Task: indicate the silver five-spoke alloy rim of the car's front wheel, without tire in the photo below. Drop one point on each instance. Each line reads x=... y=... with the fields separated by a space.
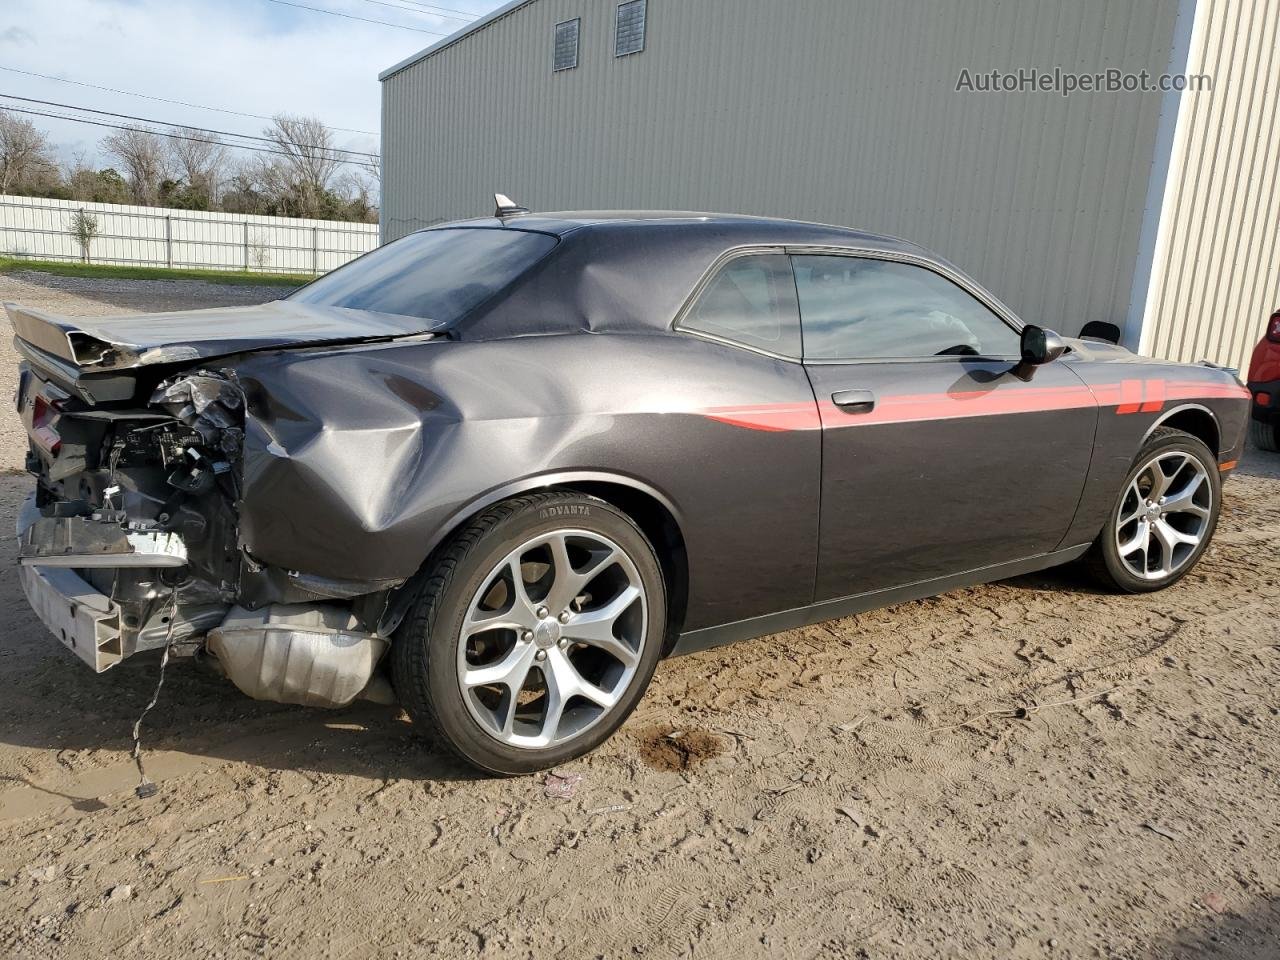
x=1164 y=515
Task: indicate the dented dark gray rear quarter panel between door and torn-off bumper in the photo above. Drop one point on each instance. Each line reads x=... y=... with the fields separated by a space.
x=356 y=463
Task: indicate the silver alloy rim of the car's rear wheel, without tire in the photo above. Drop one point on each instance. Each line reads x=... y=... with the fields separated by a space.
x=552 y=639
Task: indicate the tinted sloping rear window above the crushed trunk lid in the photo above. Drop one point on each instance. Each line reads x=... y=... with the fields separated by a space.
x=436 y=276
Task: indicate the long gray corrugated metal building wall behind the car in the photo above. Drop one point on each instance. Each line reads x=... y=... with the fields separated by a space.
x=836 y=111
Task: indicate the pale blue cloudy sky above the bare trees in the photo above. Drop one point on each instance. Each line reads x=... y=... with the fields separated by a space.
x=257 y=57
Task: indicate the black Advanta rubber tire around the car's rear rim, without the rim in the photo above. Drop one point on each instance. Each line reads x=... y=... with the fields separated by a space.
x=426 y=648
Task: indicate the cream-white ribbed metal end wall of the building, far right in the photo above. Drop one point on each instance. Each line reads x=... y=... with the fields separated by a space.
x=1217 y=277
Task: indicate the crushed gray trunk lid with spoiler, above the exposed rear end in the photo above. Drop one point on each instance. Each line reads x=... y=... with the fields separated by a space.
x=182 y=337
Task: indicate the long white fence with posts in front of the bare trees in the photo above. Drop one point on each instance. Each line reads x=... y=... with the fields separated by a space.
x=144 y=236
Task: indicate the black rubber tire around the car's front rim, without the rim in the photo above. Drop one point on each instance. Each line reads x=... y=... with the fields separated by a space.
x=1104 y=560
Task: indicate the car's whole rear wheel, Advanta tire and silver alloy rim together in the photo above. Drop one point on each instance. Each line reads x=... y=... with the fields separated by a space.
x=537 y=633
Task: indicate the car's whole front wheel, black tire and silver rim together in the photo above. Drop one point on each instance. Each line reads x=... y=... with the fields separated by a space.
x=1165 y=515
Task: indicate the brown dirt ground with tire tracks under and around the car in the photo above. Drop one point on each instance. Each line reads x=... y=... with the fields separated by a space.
x=1025 y=770
